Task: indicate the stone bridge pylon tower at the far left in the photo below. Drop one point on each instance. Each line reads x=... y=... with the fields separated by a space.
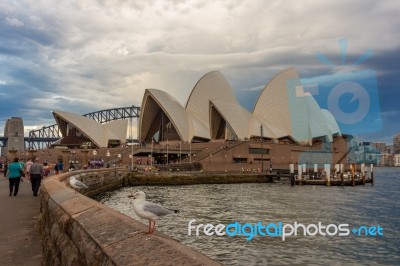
x=14 y=131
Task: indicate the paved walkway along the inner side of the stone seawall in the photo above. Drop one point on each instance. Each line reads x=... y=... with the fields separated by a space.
x=19 y=235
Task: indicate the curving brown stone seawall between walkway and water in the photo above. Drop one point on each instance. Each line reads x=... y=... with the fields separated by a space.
x=77 y=230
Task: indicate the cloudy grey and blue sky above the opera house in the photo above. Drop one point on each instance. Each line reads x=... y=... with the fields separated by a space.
x=85 y=55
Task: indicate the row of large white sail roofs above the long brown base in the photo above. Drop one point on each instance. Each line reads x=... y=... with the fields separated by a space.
x=212 y=112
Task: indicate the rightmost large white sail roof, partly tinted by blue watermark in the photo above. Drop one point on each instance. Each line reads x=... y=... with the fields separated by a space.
x=287 y=110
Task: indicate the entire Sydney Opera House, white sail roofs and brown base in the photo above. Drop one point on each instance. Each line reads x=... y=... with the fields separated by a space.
x=285 y=125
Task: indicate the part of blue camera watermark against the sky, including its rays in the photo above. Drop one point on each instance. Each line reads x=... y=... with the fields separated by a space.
x=352 y=96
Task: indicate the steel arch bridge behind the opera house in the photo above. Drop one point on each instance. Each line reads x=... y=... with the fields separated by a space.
x=44 y=137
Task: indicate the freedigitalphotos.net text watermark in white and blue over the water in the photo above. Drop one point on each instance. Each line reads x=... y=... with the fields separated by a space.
x=280 y=229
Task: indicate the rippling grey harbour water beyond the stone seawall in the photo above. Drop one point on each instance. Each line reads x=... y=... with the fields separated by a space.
x=272 y=203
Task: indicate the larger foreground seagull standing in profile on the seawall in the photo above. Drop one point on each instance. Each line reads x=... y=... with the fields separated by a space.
x=148 y=210
